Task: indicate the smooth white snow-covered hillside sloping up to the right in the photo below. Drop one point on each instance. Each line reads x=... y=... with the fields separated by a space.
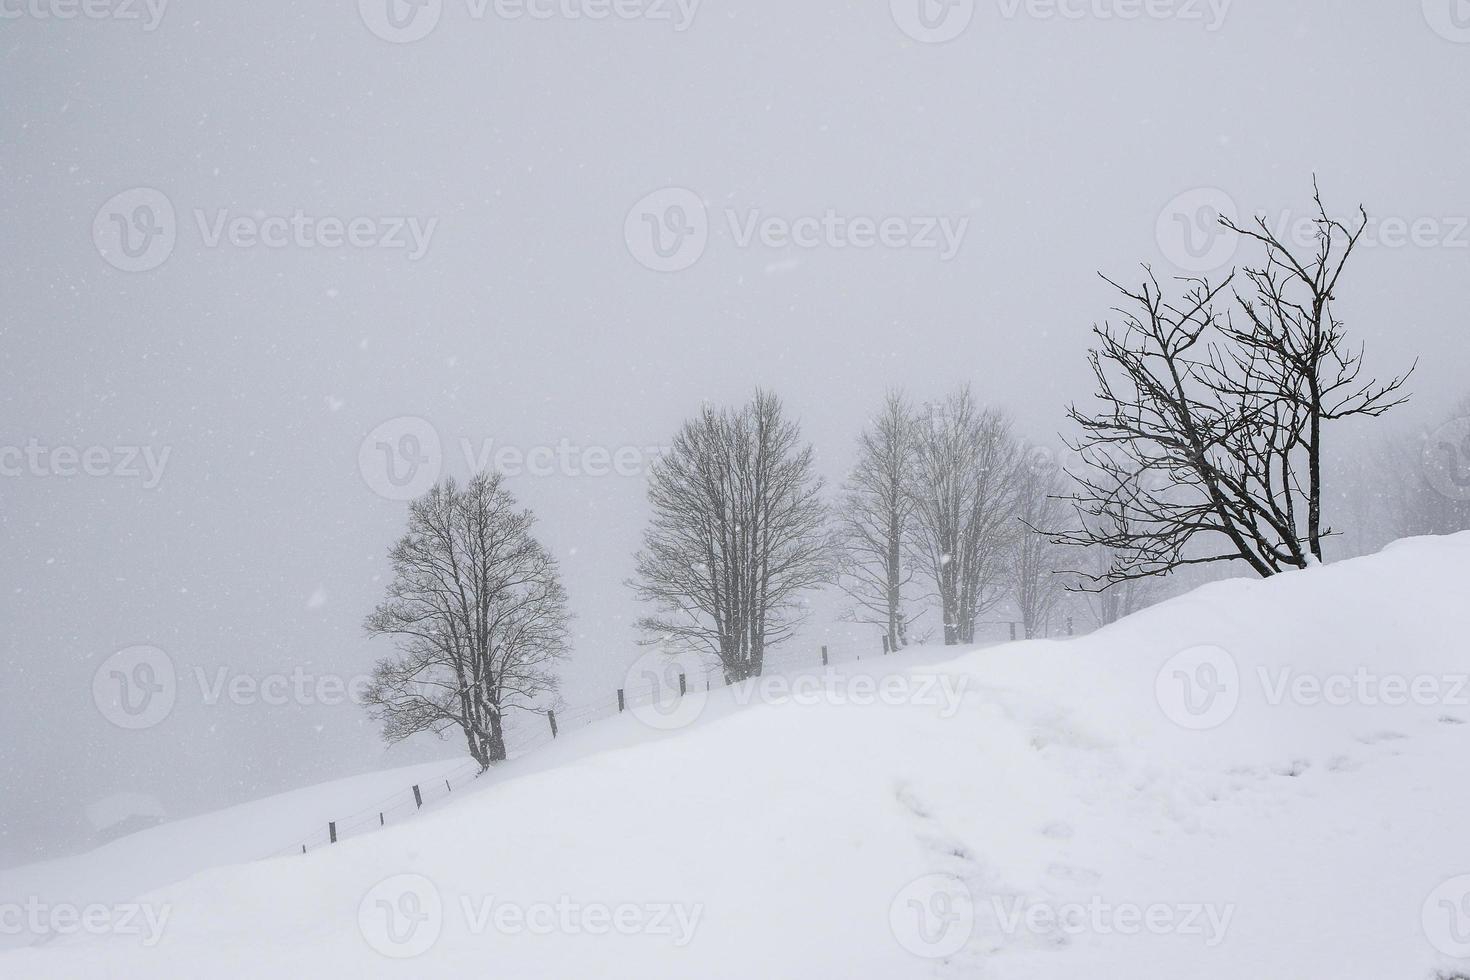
x=1261 y=779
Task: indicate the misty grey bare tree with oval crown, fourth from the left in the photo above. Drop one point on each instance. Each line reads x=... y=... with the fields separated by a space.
x=964 y=497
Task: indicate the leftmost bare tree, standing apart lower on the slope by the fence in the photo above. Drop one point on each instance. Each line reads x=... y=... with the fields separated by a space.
x=480 y=615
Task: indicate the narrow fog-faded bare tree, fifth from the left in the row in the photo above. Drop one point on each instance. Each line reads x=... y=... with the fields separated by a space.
x=1039 y=563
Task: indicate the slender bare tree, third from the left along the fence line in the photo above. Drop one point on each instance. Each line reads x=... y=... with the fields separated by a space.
x=875 y=522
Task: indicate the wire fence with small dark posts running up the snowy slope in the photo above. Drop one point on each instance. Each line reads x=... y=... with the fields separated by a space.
x=523 y=740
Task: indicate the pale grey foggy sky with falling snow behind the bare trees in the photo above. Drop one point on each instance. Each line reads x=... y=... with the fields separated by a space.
x=1068 y=145
